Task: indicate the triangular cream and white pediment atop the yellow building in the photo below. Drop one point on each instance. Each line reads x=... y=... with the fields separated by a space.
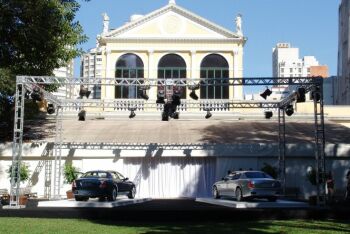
x=171 y=22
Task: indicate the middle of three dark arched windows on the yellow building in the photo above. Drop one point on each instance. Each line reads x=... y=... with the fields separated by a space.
x=172 y=66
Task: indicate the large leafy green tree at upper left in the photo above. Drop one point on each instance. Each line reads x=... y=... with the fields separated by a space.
x=37 y=36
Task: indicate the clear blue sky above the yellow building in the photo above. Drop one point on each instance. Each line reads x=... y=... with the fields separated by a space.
x=311 y=25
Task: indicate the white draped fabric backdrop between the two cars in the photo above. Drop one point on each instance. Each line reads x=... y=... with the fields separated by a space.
x=163 y=177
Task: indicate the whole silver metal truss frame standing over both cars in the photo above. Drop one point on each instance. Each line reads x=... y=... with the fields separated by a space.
x=26 y=84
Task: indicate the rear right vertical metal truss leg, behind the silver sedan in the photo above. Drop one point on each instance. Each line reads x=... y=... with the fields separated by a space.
x=282 y=147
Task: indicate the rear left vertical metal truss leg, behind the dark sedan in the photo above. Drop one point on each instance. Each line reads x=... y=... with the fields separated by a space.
x=58 y=155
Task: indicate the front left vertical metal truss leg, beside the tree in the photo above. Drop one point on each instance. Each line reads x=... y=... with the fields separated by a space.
x=17 y=145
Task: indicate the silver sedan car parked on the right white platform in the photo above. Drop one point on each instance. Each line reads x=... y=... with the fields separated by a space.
x=248 y=185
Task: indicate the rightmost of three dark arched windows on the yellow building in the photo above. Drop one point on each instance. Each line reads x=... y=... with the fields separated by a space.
x=216 y=68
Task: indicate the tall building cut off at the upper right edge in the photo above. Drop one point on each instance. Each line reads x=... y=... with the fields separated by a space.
x=342 y=92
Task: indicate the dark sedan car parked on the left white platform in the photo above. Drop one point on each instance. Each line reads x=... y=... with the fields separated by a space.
x=102 y=184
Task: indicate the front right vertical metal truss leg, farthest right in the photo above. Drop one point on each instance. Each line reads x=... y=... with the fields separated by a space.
x=320 y=159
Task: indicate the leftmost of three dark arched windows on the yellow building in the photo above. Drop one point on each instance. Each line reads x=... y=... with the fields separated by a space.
x=128 y=66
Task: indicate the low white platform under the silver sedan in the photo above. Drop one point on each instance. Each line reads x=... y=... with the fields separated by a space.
x=255 y=204
